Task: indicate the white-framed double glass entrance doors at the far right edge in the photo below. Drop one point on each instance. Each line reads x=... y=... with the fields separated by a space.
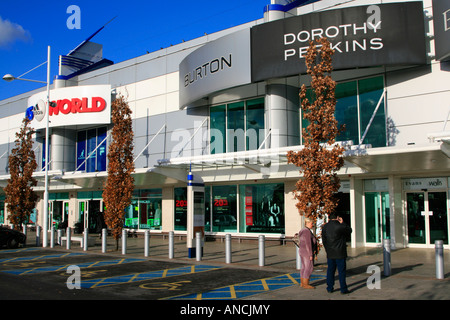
x=427 y=217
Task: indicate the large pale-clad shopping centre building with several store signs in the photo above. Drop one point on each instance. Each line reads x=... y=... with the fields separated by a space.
x=214 y=117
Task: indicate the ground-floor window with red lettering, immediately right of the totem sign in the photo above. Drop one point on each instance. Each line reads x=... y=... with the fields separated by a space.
x=224 y=211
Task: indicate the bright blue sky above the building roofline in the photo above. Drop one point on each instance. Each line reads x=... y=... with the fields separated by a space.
x=28 y=27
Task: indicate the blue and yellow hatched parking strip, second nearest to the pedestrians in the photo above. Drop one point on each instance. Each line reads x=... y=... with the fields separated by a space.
x=96 y=283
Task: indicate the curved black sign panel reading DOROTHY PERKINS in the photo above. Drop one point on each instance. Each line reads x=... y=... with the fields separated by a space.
x=382 y=34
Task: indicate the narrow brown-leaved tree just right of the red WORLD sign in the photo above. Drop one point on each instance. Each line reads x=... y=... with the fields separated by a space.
x=119 y=185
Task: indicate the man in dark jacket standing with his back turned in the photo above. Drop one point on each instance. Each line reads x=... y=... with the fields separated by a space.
x=334 y=235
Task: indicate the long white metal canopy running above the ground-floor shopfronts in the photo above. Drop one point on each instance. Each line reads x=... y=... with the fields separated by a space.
x=380 y=161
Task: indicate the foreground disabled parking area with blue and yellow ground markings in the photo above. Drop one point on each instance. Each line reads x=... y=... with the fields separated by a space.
x=69 y=274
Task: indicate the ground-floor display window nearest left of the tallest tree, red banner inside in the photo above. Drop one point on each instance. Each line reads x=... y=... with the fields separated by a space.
x=261 y=208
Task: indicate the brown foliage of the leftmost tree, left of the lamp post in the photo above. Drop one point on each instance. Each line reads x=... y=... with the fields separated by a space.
x=20 y=197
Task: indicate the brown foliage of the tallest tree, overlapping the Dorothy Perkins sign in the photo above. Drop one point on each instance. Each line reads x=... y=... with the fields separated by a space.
x=320 y=158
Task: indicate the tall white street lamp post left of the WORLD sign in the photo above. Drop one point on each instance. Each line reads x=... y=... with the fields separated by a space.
x=9 y=77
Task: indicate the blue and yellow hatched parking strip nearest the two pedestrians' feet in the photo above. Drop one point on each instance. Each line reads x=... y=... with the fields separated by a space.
x=246 y=289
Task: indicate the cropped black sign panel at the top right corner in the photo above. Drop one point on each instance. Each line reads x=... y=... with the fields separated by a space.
x=441 y=23
